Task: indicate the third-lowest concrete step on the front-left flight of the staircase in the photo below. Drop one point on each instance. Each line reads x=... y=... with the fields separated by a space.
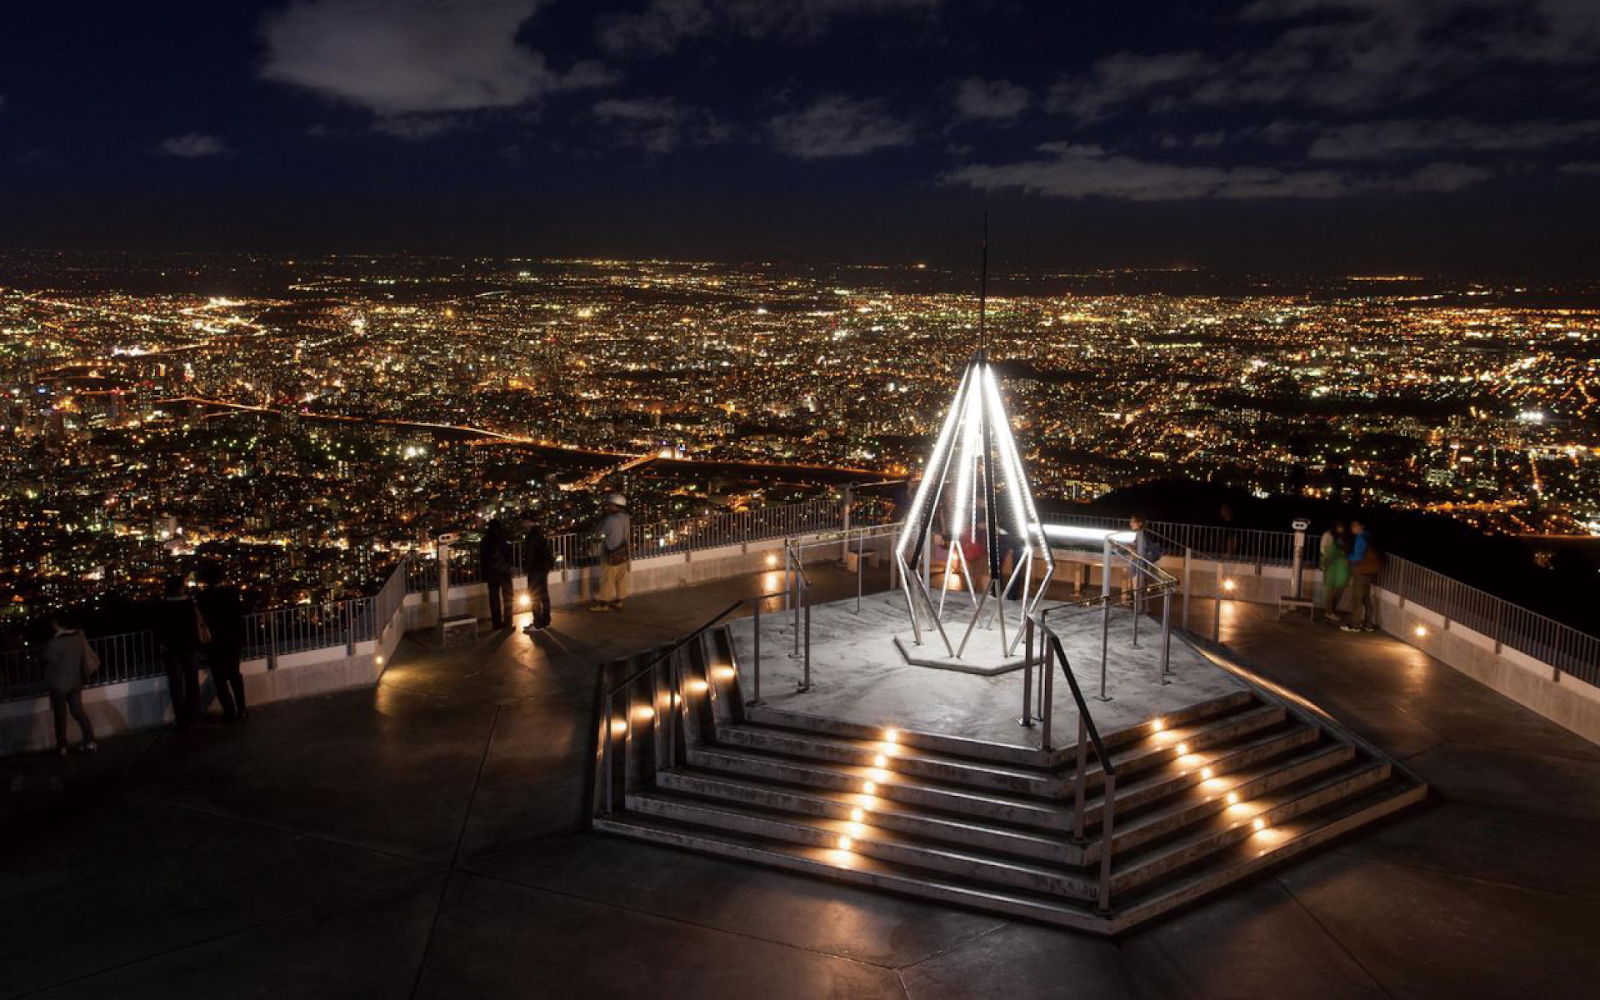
x=966 y=831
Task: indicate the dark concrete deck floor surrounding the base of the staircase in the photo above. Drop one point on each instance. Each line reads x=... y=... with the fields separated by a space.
x=418 y=841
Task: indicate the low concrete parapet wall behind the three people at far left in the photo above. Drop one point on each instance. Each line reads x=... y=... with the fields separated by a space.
x=26 y=724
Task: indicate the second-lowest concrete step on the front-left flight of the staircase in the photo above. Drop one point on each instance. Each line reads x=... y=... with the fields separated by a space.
x=866 y=841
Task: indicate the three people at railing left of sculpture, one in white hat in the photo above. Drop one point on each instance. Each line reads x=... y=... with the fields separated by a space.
x=498 y=566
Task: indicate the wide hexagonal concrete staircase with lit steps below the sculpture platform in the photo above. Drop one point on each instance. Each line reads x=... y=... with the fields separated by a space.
x=1201 y=799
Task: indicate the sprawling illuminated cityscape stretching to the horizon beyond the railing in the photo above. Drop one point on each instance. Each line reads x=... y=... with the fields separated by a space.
x=335 y=412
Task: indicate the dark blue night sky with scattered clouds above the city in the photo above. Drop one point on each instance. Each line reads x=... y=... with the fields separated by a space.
x=1458 y=137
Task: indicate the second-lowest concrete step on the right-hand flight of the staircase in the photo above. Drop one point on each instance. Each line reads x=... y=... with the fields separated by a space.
x=1236 y=825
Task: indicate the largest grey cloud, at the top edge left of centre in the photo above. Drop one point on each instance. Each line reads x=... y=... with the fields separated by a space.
x=415 y=57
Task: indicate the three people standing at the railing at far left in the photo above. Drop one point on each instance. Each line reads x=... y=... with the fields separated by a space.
x=188 y=626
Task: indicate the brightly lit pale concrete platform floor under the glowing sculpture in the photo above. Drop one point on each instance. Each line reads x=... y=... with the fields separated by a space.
x=860 y=676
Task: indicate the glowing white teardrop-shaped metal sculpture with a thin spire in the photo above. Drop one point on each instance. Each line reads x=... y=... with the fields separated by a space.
x=975 y=495
